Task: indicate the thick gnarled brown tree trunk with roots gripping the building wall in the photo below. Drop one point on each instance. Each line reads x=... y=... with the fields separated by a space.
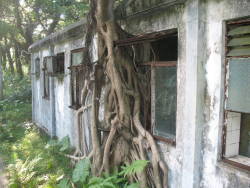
x=125 y=125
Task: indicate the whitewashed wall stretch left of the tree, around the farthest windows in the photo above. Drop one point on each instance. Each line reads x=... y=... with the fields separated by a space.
x=42 y=108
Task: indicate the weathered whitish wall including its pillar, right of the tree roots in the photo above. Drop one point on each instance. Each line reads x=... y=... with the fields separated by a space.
x=195 y=160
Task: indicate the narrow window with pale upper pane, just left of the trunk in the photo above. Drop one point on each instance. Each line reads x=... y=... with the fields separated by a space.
x=77 y=79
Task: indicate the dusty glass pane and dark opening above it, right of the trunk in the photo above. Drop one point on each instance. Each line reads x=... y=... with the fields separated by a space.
x=164 y=88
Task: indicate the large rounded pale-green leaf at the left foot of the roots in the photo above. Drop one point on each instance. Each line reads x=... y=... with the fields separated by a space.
x=81 y=171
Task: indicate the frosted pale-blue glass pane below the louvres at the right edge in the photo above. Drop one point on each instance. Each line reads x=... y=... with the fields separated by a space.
x=239 y=85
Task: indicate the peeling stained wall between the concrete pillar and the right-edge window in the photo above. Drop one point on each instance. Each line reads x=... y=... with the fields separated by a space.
x=214 y=172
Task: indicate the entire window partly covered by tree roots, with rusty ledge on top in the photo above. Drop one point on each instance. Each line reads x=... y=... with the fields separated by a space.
x=157 y=56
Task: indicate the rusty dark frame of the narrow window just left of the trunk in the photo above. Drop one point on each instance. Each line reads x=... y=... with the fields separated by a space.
x=75 y=104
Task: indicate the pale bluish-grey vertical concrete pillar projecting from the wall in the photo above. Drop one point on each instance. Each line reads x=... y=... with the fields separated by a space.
x=194 y=95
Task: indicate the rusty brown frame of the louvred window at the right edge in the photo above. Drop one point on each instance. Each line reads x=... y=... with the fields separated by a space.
x=224 y=158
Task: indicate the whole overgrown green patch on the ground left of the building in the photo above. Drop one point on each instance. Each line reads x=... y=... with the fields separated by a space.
x=27 y=152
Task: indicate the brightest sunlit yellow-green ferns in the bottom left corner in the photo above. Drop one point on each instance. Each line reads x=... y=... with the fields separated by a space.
x=33 y=164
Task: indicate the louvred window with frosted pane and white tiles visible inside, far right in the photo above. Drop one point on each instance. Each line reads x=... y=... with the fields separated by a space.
x=236 y=148
